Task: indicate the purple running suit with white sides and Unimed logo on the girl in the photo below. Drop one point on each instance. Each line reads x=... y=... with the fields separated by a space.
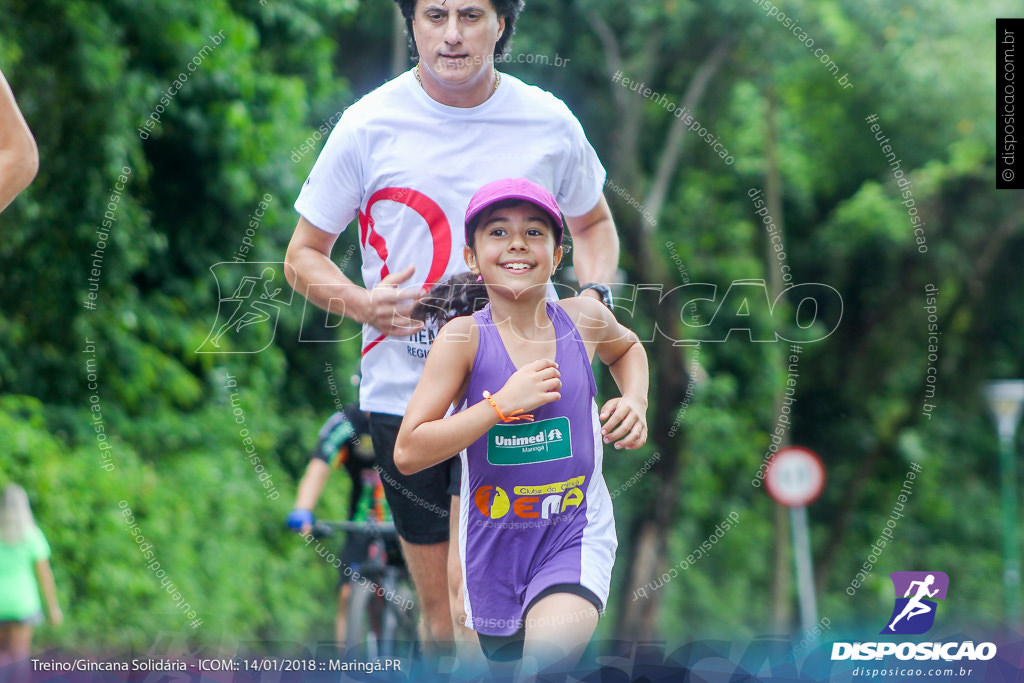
x=534 y=501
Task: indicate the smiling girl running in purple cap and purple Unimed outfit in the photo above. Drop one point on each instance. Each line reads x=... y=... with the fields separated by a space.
x=537 y=536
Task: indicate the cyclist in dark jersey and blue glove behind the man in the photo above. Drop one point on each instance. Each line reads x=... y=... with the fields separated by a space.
x=345 y=442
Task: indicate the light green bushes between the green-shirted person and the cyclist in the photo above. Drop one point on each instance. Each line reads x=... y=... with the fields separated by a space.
x=201 y=513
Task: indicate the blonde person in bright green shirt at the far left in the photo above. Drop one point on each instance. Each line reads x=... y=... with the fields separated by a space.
x=25 y=572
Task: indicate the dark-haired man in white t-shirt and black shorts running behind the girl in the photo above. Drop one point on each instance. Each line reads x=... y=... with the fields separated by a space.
x=405 y=161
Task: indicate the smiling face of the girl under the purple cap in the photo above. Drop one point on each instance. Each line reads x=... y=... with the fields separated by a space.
x=515 y=248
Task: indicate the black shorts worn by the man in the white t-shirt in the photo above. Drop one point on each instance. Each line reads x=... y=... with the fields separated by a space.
x=420 y=503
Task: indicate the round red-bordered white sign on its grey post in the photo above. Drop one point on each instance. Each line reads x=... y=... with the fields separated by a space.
x=795 y=479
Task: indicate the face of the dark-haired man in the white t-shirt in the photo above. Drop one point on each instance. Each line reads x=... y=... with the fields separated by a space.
x=456 y=38
